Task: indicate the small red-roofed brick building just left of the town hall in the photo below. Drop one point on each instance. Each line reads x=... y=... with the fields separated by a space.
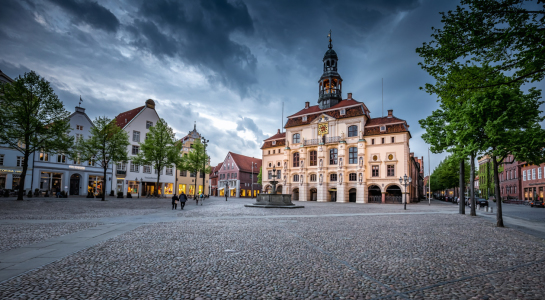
x=239 y=173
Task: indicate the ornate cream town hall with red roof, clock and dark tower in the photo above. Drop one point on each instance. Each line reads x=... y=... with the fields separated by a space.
x=335 y=151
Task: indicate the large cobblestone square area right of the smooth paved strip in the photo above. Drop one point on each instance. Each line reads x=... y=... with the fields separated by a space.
x=323 y=251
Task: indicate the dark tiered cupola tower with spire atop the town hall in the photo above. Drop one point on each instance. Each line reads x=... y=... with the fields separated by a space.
x=330 y=83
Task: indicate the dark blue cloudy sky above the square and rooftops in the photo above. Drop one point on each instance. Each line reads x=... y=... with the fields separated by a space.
x=228 y=65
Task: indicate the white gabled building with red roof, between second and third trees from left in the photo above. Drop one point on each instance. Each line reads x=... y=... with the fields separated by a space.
x=132 y=178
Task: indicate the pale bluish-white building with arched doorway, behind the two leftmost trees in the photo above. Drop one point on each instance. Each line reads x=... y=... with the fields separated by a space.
x=57 y=172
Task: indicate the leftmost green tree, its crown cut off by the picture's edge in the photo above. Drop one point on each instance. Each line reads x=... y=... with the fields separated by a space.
x=32 y=118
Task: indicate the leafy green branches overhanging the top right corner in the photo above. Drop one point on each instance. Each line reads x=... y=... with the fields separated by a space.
x=505 y=34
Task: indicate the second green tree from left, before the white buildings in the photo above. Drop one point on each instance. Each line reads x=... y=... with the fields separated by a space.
x=106 y=146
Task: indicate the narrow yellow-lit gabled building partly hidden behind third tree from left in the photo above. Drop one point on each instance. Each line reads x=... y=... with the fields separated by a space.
x=186 y=180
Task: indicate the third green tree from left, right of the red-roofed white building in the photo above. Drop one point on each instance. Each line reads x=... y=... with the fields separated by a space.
x=159 y=149
